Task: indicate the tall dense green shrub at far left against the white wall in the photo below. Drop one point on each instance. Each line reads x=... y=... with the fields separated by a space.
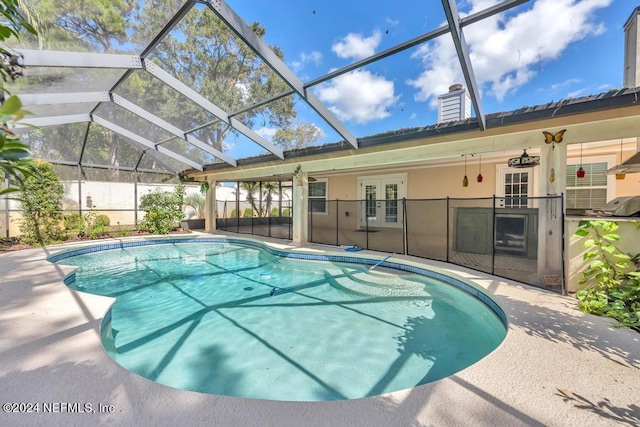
x=41 y=198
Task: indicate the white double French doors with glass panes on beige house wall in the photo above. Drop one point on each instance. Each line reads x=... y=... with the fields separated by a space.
x=382 y=201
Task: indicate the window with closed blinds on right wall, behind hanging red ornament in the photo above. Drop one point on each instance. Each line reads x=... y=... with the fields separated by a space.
x=589 y=192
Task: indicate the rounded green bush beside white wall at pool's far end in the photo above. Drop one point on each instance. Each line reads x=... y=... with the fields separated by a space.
x=163 y=210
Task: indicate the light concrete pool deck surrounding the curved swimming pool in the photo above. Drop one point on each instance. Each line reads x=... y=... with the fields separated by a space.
x=556 y=367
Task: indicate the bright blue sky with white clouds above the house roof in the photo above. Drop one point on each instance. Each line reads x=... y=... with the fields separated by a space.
x=541 y=51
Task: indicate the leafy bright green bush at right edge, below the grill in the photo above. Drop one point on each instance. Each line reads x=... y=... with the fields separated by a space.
x=612 y=278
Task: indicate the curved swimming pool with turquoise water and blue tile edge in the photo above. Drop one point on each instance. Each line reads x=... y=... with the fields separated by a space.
x=202 y=315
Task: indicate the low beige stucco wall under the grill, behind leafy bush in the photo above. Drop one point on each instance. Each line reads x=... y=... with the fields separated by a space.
x=574 y=247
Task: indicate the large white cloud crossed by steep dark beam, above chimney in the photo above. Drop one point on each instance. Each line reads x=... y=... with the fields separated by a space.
x=507 y=52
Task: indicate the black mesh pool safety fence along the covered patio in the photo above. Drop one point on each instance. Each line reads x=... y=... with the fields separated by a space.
x=516 y=238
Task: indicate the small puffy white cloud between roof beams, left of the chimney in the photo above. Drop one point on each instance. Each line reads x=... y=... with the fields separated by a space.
x=359 y=96
